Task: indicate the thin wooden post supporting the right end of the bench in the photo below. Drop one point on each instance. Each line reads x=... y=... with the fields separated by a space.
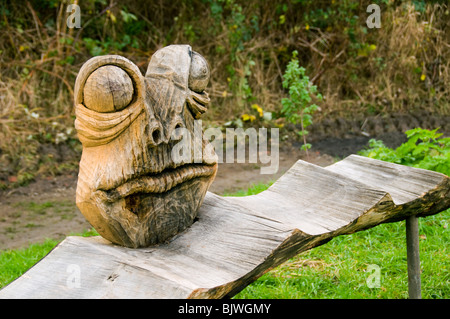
x=412 y=251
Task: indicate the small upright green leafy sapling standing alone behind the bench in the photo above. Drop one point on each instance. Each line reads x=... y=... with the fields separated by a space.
x=298 y=108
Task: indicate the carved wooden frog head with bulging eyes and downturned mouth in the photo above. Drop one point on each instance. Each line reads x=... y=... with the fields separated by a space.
x=130 y=187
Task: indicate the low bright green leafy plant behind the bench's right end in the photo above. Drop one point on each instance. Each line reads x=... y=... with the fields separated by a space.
x=424 y=149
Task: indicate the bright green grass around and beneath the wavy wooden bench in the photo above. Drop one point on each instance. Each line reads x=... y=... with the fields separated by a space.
x=339 y=269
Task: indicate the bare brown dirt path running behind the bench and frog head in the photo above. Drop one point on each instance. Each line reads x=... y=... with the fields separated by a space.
x=46 y=208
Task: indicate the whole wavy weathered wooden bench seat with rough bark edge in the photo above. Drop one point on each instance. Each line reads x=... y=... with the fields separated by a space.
x=236 y=240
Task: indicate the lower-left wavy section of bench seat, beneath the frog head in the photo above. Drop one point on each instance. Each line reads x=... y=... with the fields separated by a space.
x=217 y=249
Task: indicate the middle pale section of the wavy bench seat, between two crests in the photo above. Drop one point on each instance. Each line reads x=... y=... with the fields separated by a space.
x=314 y=200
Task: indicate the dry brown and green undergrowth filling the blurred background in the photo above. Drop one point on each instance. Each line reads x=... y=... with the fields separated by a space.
x=247 y=43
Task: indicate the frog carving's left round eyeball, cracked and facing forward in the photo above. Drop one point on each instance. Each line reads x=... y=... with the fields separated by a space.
x=108 y=89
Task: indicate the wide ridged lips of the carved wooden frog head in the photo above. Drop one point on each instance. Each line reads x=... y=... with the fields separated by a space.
x=158 y=183
